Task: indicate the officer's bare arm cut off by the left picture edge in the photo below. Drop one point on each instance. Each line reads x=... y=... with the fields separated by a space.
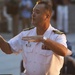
x=5 y=47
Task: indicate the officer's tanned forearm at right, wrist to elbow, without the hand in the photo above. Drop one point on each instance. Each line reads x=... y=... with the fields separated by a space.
x=57 y=47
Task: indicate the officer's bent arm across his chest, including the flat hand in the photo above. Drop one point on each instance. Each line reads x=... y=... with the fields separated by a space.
x=50 y=44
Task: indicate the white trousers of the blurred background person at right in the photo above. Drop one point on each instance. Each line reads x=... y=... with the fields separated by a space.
x=62 y=17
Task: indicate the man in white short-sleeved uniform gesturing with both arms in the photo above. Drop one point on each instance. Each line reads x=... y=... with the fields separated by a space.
x=43 y=47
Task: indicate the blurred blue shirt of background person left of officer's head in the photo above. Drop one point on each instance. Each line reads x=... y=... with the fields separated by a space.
x=25 y=12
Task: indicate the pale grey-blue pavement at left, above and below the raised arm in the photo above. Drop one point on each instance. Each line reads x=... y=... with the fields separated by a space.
x=9 y=64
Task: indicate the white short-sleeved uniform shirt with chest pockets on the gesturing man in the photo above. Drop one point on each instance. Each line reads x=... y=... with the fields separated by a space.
x=38 y=61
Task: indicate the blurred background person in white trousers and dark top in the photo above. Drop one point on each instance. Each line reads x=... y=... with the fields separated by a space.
x=62 y=15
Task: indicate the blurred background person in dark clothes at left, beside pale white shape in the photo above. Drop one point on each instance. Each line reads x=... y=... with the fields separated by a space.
x=11 y=12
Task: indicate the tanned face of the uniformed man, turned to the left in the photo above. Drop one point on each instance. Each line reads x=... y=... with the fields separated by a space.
x=38 y=15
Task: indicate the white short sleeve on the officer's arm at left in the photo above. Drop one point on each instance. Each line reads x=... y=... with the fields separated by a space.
x=16 y=43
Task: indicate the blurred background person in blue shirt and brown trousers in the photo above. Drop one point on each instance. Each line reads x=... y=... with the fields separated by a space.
x=26 y=7
